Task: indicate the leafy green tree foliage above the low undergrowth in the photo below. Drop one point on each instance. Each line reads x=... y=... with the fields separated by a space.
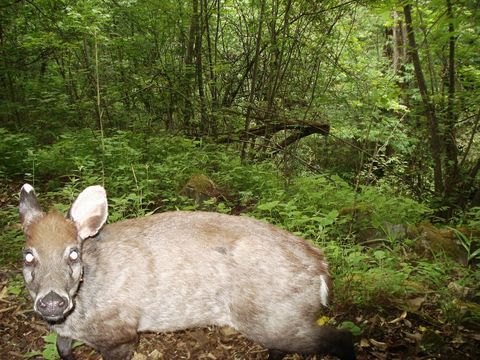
x=343 y=68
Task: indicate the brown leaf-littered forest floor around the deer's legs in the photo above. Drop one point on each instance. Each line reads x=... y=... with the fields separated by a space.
x=22 y=332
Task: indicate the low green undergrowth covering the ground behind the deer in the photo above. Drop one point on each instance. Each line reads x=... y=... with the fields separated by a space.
x=145 y=174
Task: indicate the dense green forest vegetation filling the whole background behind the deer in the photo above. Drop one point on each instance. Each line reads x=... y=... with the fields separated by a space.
x=352 y=123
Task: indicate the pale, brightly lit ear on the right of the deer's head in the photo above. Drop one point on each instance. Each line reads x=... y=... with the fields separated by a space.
x=89 y=211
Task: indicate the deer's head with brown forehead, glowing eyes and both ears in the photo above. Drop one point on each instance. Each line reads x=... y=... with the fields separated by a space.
x=52 y=261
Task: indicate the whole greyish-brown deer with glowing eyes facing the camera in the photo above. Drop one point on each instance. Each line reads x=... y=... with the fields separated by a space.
x=105 y=284
